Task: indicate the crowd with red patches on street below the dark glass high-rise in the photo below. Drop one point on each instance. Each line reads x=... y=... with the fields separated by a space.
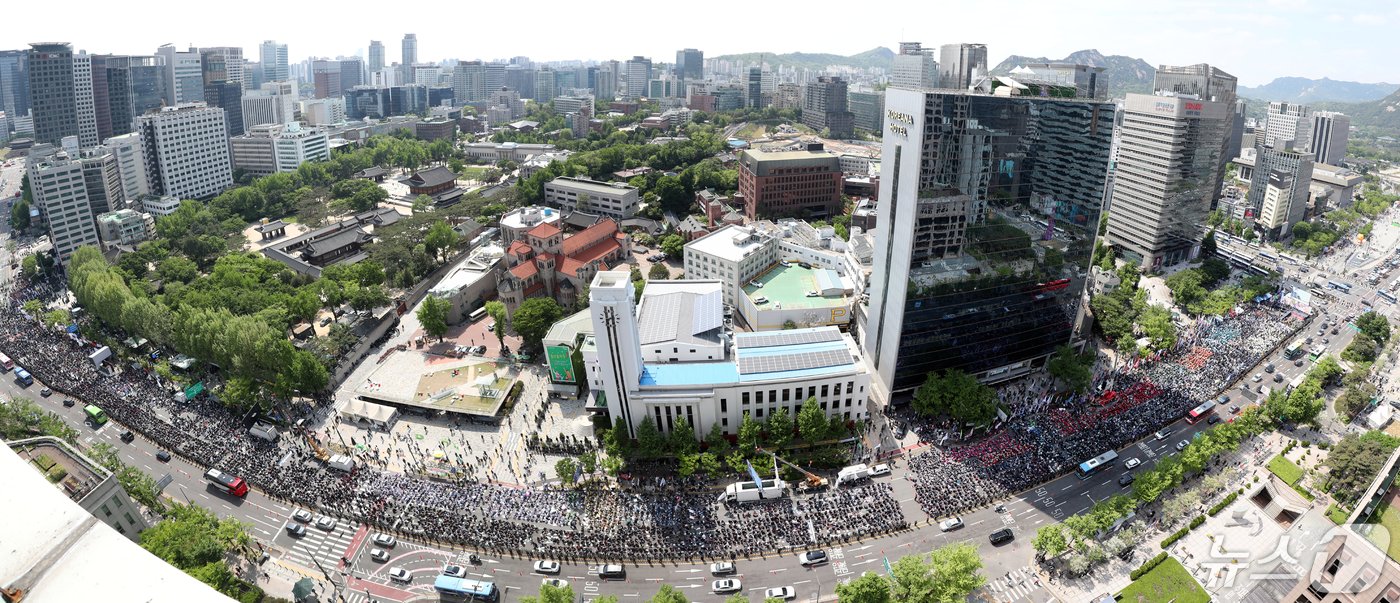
x=1126 y=404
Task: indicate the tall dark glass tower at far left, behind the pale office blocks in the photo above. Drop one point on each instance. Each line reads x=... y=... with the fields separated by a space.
x=52 y=93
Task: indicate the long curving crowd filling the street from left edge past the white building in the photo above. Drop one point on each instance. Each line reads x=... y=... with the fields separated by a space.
x=600 y=524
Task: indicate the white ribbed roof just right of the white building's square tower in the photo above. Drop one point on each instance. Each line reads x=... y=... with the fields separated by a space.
x=685 y=313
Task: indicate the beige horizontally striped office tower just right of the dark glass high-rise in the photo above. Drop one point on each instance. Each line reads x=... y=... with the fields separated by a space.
x=1165 y=180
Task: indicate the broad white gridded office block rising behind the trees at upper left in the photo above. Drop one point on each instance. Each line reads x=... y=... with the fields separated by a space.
x=187 y=152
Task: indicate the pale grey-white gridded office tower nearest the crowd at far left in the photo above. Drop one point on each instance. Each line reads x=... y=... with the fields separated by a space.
x=61 y=194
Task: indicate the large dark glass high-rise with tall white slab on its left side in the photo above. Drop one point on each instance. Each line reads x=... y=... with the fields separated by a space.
x=958 y=283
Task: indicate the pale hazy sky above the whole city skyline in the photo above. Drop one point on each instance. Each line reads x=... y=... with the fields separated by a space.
x=1254 y=40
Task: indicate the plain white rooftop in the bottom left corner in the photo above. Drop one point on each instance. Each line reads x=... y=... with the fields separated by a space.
x=58 y=553
